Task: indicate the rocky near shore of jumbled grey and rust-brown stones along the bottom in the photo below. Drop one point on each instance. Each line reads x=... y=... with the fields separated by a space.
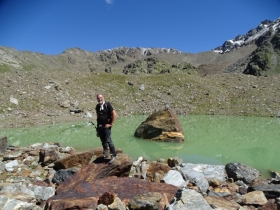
x=51 y=176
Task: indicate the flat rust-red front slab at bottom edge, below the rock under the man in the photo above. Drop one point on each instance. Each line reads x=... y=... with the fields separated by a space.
x=85 y=195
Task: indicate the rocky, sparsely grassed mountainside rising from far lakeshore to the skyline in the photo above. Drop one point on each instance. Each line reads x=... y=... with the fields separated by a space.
x=38 y=88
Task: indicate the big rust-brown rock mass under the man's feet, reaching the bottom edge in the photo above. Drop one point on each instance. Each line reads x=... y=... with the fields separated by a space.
x=100 y=182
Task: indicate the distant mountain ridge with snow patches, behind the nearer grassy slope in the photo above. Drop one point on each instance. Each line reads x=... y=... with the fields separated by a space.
x=239 y=55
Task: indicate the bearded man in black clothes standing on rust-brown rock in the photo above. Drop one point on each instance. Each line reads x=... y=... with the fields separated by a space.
x=106 y=117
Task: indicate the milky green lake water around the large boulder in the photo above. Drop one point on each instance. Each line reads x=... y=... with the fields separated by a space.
x=253 y=141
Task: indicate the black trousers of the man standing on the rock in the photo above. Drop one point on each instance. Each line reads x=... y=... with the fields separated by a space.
x=106 y=140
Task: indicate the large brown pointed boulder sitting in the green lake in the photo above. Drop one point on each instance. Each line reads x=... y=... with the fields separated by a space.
x=162 y=125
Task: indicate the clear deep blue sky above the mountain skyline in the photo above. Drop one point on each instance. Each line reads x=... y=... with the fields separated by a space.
x=52 y=26
